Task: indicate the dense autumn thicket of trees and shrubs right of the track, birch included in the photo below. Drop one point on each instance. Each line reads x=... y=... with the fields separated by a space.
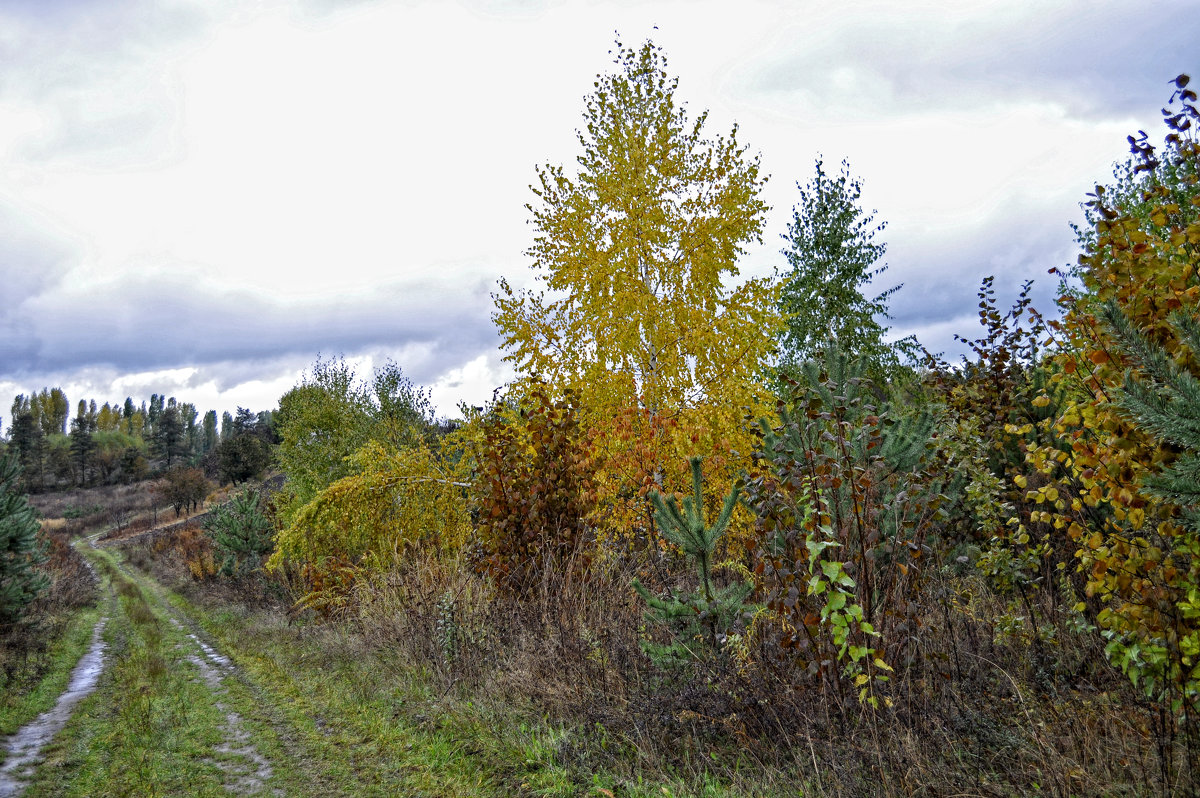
x=901 y=545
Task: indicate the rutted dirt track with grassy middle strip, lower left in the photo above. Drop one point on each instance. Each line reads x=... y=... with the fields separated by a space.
x=149 y=698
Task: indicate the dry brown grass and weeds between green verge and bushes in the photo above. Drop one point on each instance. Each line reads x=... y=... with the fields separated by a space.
x=991 y=704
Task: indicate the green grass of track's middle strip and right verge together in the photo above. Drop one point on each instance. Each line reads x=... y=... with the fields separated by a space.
x=333 y=715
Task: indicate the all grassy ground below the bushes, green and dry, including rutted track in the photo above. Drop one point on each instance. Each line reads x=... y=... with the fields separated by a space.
x=431 y=686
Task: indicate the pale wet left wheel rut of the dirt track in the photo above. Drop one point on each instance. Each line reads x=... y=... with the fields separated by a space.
x=25 y=747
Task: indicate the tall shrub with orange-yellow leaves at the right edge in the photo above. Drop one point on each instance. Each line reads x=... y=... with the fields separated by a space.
x=1137 y=559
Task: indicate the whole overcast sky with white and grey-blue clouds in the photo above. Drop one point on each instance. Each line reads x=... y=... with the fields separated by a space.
x=199 y=197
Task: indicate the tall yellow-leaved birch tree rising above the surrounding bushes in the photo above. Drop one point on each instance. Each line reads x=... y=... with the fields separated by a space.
x=639 y=311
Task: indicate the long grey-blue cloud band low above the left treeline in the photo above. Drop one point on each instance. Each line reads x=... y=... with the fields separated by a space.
x=166 y=322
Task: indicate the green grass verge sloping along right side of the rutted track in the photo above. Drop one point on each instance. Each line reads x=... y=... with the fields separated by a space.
x=388 y=728
